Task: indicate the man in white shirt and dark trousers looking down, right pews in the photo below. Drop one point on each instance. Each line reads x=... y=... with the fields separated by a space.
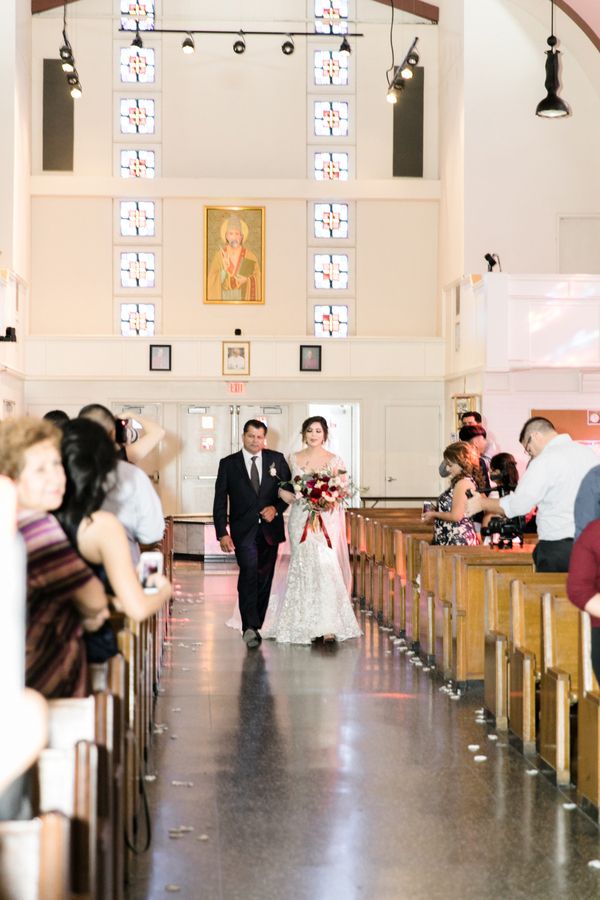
x=551 y=481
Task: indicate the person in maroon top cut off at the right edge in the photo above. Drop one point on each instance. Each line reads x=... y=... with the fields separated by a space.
x=583 y=582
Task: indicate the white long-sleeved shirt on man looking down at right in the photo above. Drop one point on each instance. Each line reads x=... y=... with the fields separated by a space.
x=551 y=482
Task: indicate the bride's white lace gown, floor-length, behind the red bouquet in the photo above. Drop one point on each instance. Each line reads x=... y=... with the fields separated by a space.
x=316 y=599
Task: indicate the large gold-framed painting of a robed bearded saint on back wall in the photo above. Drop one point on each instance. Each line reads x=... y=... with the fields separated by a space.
x=234 y=254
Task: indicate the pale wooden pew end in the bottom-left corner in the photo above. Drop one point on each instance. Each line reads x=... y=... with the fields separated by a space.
x=35 y=858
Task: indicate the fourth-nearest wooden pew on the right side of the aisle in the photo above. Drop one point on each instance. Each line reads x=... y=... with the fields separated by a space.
x=497 y=647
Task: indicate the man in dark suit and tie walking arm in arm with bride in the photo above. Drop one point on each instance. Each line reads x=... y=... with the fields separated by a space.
x=249 y=480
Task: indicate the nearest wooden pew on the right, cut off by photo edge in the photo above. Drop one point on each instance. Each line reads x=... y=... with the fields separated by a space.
x=588 y=722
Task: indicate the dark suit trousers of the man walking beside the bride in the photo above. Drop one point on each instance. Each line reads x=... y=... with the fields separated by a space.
x=256 y=560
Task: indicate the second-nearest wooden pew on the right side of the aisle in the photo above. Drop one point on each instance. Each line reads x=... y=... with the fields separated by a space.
x=559 y=684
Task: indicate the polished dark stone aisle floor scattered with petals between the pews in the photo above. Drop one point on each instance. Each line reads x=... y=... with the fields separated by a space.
x=310 y=773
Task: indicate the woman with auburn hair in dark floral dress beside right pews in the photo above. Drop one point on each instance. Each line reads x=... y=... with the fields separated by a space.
x=451 y=524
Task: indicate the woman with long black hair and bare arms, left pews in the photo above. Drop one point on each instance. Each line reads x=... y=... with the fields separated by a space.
x=89 y=460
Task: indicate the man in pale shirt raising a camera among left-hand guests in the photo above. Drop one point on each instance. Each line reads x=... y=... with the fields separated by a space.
x=132 y=498
